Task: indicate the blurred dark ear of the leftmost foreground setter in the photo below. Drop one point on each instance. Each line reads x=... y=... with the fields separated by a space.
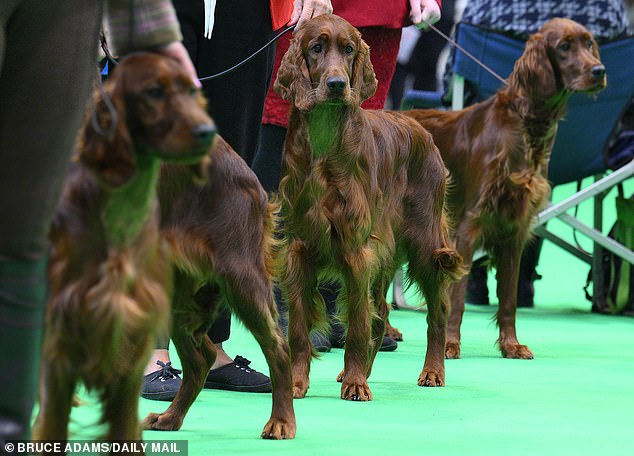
x=104 y=143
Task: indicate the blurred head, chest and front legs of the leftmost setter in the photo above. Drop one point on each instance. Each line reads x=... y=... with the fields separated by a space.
x=109 y=273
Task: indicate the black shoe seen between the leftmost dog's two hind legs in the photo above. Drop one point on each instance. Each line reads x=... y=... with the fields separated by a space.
x=237 y=376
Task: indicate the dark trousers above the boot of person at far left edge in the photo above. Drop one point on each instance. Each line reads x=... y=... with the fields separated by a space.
x=47 y=64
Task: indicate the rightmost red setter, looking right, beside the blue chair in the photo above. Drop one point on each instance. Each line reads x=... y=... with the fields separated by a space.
x=497 y=152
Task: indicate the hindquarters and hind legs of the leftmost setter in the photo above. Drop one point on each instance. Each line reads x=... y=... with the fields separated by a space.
x=221 y=238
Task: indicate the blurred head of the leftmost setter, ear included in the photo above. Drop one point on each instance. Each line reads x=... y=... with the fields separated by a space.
x=148 y=106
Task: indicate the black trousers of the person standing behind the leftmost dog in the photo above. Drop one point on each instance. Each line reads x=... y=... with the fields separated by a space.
x=236 y=100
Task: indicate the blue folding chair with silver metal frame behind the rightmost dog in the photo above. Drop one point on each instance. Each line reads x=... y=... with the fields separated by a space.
x=583 y=139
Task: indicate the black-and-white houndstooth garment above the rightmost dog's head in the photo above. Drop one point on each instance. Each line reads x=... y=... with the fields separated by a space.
x=606 y=19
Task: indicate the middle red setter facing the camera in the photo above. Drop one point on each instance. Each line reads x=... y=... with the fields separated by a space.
x=361 y=192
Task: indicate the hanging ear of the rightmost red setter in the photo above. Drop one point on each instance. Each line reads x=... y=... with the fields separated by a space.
x=534 y=71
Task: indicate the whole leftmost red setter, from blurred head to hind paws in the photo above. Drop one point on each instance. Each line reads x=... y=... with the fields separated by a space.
x=206 y=244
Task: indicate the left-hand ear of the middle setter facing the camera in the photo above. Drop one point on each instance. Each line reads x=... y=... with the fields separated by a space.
x=292 y=82
